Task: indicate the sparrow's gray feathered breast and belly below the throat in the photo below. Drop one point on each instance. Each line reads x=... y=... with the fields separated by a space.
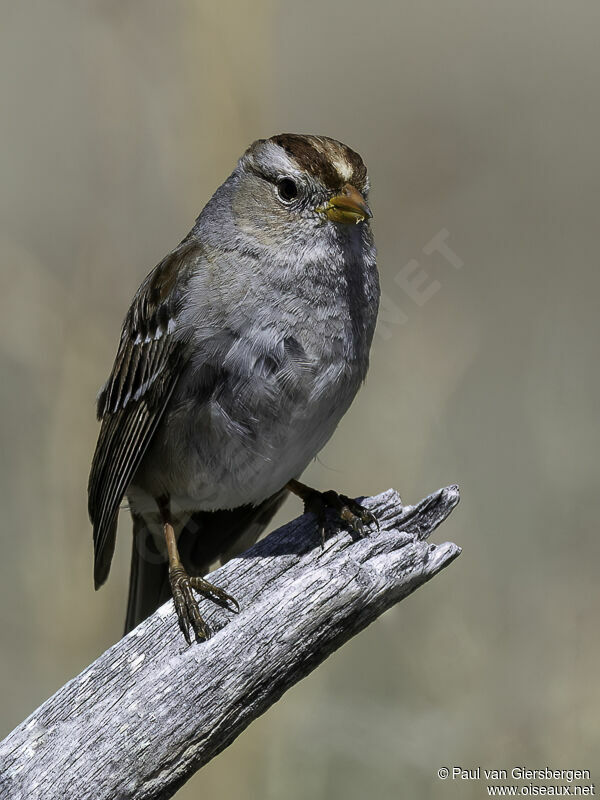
x=271 y=374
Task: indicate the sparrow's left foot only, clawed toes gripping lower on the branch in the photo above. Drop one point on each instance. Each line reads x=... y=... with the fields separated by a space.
x=186 y=605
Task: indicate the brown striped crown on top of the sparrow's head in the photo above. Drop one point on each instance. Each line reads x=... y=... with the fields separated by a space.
x=317 y=155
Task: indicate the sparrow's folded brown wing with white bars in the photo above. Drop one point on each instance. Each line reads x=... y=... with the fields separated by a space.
x=146 y=369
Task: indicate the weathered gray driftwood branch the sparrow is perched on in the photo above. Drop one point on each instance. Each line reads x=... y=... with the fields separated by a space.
x=139 y=721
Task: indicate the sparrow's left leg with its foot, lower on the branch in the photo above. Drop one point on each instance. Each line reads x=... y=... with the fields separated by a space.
x=186 y=605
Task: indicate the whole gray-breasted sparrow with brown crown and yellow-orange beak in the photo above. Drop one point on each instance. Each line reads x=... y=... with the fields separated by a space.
x=240 y=353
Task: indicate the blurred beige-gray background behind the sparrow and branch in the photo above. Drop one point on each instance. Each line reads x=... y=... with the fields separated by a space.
x=479 y=122
